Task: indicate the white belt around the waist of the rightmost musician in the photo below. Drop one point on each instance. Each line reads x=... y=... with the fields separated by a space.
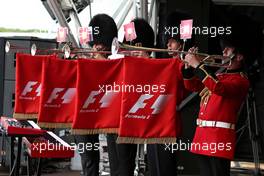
x=218 y=124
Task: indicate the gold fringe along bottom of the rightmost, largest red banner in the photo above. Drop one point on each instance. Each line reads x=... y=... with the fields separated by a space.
x=133 y=140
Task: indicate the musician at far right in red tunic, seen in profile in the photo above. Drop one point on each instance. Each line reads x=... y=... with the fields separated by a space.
x=221 y=97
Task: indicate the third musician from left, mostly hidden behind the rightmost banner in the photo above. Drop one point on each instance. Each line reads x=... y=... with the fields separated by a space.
x=164 y=162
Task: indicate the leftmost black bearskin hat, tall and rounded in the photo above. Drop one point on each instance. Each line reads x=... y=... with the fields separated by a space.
x=104 y=30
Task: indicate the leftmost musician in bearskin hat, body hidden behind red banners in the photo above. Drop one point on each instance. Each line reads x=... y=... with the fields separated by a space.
x=101 y=42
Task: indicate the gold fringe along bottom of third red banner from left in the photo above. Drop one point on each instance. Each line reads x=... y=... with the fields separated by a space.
x=94 y=131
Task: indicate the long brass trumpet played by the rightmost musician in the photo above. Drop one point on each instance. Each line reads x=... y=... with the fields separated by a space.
x=210 y=60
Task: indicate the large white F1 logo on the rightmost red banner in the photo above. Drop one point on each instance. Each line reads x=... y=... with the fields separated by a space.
x=157 y=106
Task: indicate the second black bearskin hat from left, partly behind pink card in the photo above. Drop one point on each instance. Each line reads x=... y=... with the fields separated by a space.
x=145 y=33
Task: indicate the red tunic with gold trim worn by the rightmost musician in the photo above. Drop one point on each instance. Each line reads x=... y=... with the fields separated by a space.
x=221 y=99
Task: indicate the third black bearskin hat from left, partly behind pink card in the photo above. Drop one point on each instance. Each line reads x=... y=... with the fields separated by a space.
x=173 y=22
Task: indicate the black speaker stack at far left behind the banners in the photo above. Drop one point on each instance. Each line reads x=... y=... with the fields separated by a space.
x=7 y=80
